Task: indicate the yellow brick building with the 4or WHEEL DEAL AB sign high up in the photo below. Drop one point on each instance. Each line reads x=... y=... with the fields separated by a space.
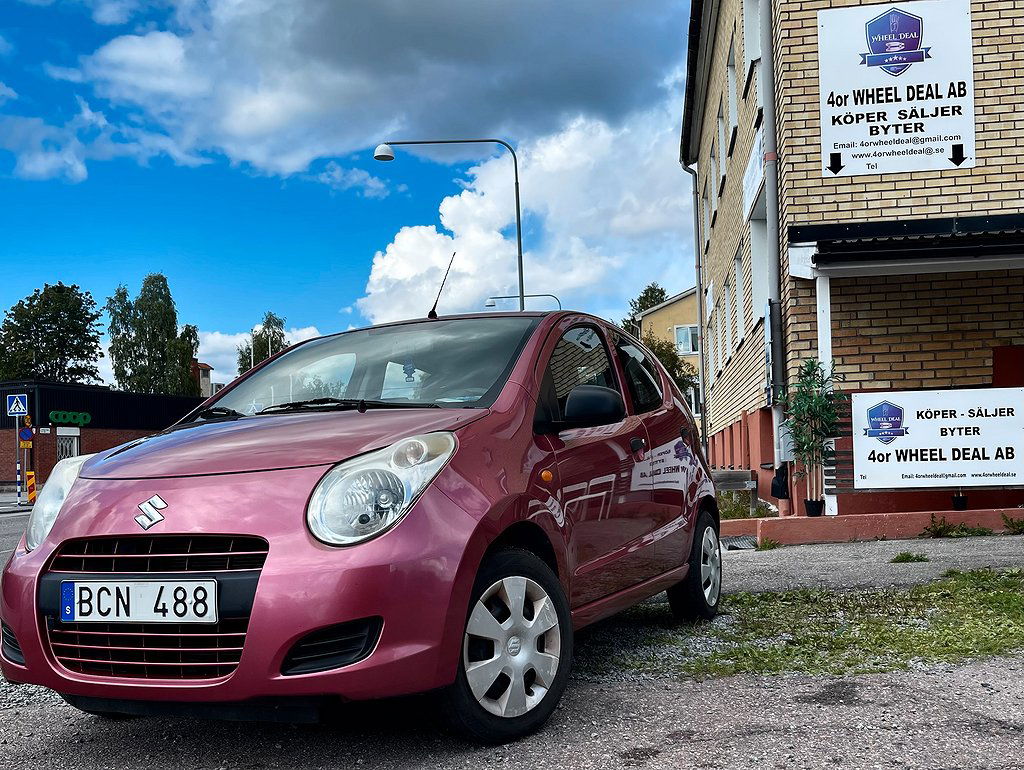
x=905 y=280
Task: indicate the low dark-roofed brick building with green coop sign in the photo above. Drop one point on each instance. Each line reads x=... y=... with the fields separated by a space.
x=71 y=420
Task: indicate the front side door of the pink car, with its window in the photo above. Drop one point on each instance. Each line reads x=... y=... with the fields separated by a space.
x=602 y=494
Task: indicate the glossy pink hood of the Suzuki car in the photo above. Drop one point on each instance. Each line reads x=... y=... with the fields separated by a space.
x=271 y=443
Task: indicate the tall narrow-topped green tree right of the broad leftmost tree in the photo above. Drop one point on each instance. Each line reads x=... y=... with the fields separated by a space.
x=148 y=353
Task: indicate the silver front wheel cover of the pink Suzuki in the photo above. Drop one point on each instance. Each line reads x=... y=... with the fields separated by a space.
x=513 y=647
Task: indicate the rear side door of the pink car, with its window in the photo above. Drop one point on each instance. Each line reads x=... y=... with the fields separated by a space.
x=670 y=462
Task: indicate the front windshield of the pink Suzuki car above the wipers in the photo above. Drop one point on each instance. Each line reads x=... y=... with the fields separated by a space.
x=458 y=363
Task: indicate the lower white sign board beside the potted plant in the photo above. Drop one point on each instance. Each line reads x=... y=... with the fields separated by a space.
x=938 y=439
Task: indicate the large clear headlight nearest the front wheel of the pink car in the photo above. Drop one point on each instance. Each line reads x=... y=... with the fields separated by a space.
x=364 y=497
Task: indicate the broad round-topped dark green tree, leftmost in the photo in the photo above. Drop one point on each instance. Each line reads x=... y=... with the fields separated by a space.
x=54 y=334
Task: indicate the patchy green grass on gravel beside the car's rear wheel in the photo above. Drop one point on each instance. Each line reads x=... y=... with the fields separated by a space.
x=964 y=616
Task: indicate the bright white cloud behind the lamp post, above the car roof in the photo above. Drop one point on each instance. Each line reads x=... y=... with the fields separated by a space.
x=613 y=205
